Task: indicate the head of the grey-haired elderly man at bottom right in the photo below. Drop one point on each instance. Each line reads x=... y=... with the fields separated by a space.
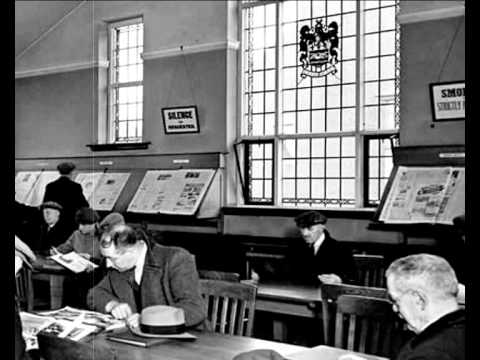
x=421 y=287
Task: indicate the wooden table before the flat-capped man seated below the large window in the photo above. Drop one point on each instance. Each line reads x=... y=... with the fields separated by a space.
x=289 y=299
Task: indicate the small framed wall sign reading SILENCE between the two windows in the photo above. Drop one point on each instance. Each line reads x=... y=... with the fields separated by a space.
x=180 y=120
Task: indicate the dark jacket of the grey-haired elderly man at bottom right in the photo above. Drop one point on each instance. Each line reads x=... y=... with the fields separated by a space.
x=442 y=340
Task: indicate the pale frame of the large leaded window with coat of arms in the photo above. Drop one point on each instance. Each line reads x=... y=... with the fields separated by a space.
x=361 y=136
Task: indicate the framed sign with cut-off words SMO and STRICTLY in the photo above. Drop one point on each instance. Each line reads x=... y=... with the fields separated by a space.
x=448 y=101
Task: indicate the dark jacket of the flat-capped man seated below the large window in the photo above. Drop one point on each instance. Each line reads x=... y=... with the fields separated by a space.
x=332 y=257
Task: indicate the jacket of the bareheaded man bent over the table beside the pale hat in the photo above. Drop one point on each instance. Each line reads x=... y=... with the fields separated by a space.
x=170 y=277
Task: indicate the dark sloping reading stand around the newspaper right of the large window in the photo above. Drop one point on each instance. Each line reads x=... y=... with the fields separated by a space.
x=418 y=156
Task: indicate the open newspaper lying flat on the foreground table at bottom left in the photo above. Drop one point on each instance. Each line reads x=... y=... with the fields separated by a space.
x=68 y=322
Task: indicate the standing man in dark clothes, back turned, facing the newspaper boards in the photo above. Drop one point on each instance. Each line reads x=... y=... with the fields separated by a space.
x=67 y=193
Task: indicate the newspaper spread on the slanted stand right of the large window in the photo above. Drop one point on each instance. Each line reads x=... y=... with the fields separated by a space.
x=425 y=195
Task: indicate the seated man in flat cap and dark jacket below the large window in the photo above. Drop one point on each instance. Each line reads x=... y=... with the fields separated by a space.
x=320 y=258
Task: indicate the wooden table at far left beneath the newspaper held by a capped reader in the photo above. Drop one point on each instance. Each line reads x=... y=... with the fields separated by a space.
x=55 y=274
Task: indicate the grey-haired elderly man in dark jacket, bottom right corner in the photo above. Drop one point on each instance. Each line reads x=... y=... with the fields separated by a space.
x=423 y=290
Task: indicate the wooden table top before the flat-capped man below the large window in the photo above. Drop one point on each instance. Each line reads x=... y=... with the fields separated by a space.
x=289 y=292
